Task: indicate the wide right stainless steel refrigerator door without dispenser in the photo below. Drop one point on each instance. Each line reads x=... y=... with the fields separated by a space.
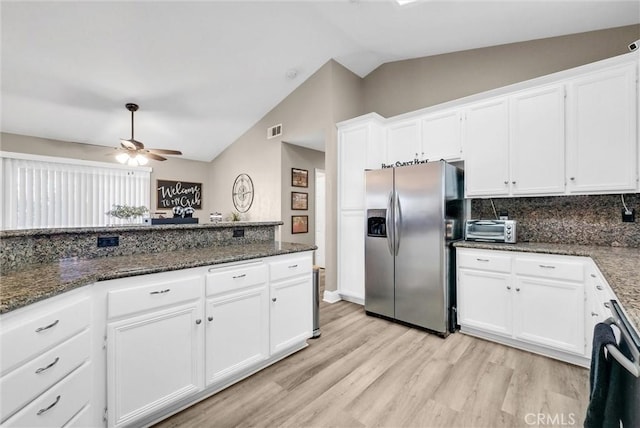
x=421 y=296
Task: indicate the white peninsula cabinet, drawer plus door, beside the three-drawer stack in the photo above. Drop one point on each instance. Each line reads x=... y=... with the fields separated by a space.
x=154 y=358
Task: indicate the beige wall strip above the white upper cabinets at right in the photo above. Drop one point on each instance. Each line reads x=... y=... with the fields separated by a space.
x=404 y=86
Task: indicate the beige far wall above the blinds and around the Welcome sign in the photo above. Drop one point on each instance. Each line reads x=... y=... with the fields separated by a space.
x=172 y=169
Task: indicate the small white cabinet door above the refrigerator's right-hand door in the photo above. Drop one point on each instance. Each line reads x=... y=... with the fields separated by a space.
x=442 y=136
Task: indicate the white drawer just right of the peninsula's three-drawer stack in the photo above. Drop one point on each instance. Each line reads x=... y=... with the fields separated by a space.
x=154 y=295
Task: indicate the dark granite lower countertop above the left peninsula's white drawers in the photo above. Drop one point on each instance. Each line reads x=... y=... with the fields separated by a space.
x=40 y=281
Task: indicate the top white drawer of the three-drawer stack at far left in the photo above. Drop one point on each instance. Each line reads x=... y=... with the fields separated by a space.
x=31 y=337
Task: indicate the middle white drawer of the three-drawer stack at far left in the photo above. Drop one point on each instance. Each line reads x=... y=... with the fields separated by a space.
x=30 y=380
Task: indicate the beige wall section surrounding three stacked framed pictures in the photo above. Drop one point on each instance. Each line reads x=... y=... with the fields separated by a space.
x=310 y=160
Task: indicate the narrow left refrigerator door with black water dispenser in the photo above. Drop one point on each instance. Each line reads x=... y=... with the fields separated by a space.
x=379 y=265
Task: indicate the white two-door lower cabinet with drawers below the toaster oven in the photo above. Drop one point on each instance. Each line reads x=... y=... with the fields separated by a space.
x=532 y=301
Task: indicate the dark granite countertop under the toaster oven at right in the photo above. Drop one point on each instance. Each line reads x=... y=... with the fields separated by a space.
x=619 y=265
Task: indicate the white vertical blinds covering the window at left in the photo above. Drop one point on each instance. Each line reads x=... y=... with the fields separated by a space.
x=46 y=192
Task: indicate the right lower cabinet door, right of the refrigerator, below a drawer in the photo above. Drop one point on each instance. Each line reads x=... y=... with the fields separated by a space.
x=550 y=313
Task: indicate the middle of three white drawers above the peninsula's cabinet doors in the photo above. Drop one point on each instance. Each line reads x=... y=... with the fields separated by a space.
x=223 y=279
